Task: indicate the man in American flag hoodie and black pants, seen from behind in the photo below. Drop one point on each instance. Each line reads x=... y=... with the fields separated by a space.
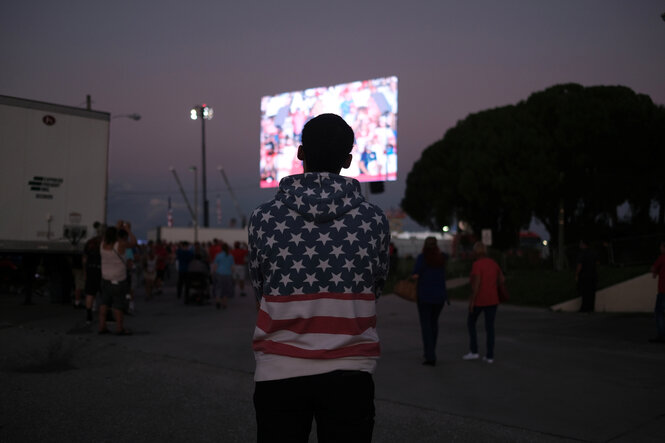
x=318 y=261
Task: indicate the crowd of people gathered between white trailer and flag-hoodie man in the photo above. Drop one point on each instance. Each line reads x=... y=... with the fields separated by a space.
x=115 y=268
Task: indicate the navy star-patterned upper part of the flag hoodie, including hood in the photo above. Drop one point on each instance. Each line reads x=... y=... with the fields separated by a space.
x=302 y=244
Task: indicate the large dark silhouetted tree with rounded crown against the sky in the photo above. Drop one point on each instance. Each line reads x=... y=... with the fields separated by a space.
x=587 y=148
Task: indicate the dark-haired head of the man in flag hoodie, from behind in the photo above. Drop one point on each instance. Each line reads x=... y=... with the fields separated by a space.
x=327 y=141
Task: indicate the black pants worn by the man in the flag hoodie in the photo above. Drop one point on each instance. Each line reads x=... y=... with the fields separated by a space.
x=341 y=402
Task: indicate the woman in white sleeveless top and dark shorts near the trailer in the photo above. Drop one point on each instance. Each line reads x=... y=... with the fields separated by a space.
x=114 y=277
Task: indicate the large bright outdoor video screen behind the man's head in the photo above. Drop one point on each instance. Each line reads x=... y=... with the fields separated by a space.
x=369 y=107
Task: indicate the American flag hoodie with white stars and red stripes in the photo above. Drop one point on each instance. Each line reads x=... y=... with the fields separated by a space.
x=318 y=259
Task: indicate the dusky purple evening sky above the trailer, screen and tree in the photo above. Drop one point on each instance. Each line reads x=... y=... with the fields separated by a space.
x=158 y=58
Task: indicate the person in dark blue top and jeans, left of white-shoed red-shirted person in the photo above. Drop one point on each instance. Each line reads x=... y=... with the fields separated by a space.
x=429 y=270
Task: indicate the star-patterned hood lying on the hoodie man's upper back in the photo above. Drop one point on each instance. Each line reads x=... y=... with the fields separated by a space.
x=320 y=196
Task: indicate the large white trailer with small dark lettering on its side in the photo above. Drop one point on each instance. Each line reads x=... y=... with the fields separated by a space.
x=53 y=175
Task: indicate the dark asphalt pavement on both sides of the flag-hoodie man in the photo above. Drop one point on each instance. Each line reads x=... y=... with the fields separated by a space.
x=186 y=376
